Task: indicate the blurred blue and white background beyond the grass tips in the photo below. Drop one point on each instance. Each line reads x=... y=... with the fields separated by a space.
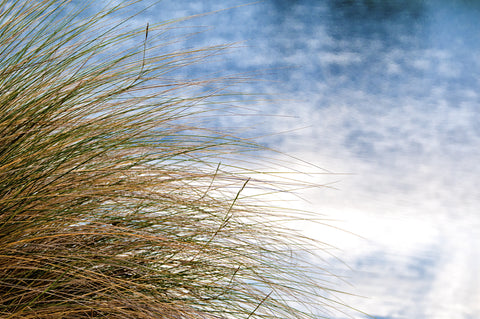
x=386 y=91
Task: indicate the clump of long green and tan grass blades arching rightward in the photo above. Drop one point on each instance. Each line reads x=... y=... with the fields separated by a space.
x=113 y=202
